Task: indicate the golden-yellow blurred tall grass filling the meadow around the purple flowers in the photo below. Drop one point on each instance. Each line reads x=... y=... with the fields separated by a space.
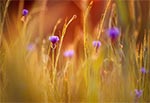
x=108 y=74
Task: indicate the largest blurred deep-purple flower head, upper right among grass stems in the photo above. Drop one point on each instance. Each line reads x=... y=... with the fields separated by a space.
x=113 y=33
